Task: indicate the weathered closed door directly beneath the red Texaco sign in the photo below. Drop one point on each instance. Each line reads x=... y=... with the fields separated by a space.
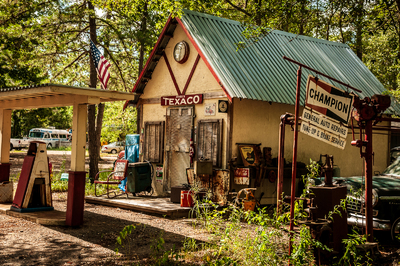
x=178 y=129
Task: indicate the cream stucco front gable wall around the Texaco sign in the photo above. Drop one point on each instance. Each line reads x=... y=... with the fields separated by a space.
x=161 y=84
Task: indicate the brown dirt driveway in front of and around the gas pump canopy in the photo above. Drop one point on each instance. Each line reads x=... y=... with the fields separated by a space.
x=26 y=243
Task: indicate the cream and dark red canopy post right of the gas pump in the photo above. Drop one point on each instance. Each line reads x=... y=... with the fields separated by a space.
x=77 y=175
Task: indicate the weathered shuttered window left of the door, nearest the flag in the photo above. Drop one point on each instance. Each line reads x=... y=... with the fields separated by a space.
x=153 y=141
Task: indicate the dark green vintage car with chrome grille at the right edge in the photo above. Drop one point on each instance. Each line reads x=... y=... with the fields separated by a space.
x=385 y=200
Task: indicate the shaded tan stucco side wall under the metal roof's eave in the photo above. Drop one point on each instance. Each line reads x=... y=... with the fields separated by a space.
x=258 y=122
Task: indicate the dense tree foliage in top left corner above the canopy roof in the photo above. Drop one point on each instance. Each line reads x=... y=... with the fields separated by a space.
x=18 y=42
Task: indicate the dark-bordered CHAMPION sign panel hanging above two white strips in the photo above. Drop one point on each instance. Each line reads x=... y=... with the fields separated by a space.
x=328 y=100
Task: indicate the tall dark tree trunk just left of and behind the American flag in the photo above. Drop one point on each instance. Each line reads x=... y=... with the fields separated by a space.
x=93 y=143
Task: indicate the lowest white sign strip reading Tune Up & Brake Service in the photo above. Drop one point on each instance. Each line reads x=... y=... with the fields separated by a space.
x=325 y=136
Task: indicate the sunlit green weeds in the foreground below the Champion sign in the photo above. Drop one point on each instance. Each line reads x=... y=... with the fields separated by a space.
x=252 y=238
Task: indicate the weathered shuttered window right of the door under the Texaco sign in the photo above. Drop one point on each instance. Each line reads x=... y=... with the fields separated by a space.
x=209 y=139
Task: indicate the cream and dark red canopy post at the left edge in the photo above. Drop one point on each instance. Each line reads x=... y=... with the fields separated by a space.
x=5 y=135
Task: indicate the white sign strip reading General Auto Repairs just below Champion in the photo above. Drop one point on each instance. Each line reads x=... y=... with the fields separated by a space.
x=325 y=123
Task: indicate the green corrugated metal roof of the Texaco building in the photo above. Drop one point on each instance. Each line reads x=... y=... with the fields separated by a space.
x=259 y=72
